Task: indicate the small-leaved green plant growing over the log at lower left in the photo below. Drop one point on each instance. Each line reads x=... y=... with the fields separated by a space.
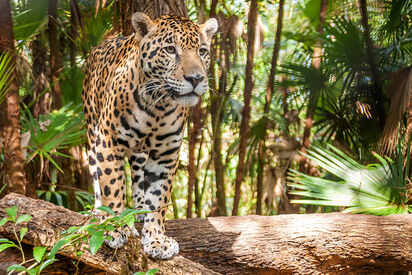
x=93 y=234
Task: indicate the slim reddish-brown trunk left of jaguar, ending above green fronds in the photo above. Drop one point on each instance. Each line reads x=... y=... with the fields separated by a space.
x=55 y=57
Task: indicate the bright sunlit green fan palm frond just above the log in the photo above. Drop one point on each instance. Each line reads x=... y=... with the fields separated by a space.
x=381 y=188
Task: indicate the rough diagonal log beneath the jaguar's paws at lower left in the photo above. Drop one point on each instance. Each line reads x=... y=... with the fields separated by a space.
x=50 y=220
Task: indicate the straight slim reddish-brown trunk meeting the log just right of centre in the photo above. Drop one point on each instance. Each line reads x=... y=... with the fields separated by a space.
x=244 y=125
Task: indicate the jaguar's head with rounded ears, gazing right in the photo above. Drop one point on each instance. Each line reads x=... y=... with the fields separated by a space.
x=174 y=55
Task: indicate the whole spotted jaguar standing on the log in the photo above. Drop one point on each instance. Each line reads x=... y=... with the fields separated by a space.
x=136 y=94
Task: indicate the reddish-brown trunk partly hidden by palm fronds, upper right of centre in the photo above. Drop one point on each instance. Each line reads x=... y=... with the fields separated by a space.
x=316 y=61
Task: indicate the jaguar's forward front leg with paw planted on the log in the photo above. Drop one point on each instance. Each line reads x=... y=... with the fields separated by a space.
x=157 y=195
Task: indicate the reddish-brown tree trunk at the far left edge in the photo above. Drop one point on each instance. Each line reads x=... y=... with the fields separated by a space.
x=13 y=175
